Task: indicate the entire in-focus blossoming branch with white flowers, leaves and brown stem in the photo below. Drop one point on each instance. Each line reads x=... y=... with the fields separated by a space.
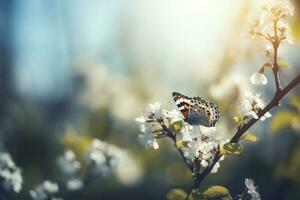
x=202 y=148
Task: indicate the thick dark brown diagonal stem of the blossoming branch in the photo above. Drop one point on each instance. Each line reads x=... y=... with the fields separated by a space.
x=240 y=131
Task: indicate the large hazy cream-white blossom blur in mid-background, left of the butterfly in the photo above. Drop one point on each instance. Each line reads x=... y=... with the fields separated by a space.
x=103 y=89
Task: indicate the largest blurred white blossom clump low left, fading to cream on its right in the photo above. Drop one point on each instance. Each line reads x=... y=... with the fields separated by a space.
x=105 y=159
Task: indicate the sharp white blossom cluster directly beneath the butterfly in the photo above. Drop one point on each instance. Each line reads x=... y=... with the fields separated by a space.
x=196 y=142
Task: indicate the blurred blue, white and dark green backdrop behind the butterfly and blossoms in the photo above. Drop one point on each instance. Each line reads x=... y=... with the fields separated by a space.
x=90 y=68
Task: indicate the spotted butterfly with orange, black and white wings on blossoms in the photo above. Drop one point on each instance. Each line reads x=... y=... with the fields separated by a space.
x=197 y=111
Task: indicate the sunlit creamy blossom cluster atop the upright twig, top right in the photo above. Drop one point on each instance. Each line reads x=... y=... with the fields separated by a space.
x=270 y=12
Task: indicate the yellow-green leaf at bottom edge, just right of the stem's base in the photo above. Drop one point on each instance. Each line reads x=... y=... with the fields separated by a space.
x=212 y=192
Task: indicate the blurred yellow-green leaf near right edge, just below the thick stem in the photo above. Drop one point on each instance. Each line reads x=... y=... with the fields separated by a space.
x=282 y=120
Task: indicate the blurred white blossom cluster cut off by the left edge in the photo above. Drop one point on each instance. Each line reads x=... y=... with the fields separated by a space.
x=10 y=173
